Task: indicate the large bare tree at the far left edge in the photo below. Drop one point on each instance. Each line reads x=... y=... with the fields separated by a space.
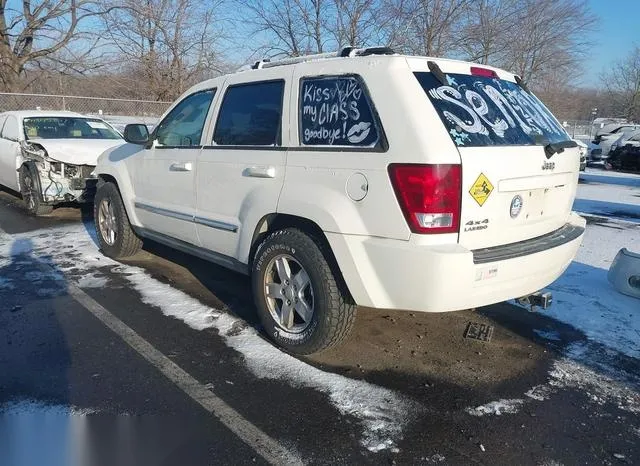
x=43 y=33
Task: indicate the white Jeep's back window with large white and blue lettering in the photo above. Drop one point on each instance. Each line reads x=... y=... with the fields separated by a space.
x=484 y=111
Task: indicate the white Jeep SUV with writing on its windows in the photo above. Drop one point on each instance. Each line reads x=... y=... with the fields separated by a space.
x=358 y=178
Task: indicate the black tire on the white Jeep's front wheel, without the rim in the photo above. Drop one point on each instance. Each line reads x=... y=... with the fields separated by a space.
x=126 y=243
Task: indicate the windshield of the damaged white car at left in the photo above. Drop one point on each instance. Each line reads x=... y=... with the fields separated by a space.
x=68 y=128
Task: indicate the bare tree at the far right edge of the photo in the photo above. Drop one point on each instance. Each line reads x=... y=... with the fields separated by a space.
x=622 y=82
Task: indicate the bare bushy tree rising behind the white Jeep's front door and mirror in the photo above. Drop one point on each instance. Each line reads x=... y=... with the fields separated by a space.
x=164 y=44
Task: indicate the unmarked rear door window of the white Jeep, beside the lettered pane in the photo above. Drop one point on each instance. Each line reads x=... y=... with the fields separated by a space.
x=251 y=115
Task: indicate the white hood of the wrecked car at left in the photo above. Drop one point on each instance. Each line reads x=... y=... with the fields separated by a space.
x=76 y=151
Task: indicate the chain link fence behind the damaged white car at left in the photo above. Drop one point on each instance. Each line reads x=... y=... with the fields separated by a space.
x=140 y=110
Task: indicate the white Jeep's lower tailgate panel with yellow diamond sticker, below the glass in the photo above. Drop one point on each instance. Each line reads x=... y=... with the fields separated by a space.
x=512 y=194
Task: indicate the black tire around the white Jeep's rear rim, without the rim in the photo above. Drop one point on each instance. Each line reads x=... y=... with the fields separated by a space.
x=334 y=311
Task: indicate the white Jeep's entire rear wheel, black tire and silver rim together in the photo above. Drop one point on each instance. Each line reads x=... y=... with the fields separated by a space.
x=303 y=305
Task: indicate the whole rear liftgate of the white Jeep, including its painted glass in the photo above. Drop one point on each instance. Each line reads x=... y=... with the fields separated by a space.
x=512 y=191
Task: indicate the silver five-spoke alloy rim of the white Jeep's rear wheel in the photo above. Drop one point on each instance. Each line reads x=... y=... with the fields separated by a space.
x=289 y=294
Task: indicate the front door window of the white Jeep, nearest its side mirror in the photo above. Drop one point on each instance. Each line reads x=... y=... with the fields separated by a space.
x=184 y=124
